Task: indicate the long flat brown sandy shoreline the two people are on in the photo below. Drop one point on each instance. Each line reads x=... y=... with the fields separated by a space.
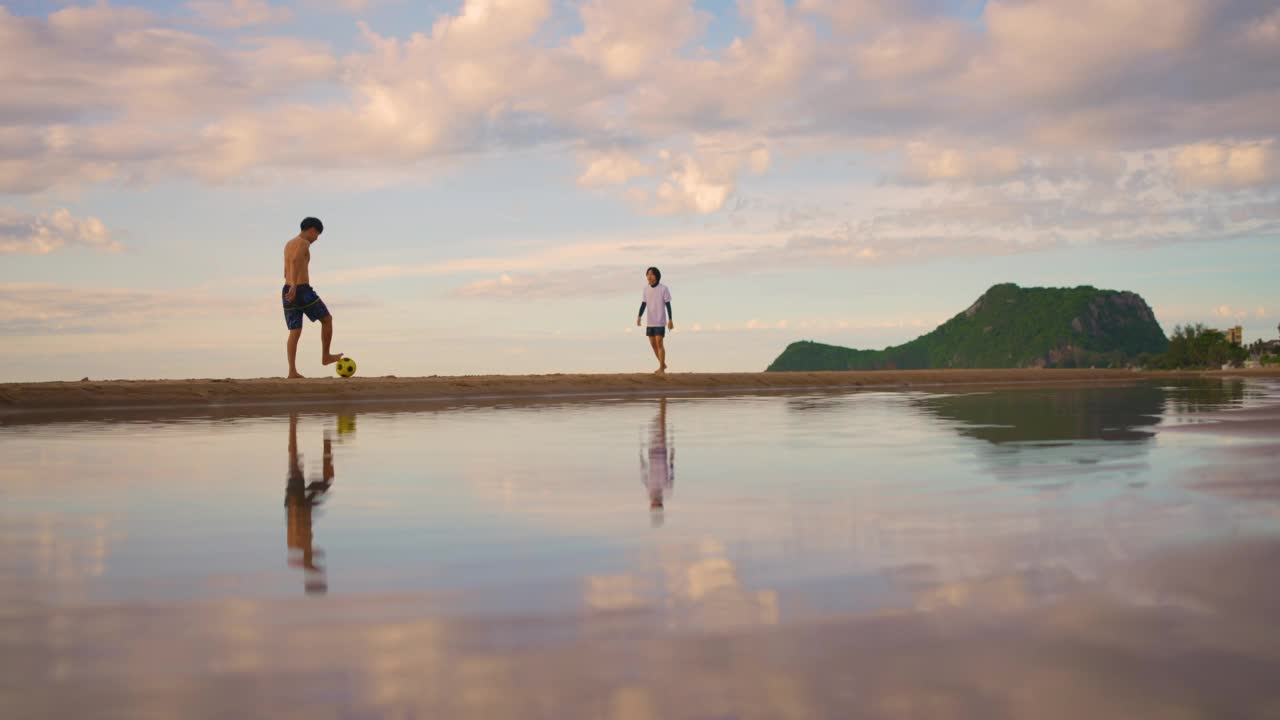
x=17 y=399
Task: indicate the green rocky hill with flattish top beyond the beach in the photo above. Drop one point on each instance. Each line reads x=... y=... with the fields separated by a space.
x=1011 y=327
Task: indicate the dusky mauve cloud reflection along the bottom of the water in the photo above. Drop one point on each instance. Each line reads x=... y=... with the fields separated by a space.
x=1186 y=635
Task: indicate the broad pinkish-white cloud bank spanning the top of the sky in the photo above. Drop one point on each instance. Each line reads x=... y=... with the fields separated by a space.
x=1036 y=117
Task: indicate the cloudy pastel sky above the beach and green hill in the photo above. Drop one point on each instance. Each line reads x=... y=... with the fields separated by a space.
x=495 y=176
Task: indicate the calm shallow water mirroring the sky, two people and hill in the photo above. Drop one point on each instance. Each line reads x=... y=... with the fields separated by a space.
x=1063 y=553
